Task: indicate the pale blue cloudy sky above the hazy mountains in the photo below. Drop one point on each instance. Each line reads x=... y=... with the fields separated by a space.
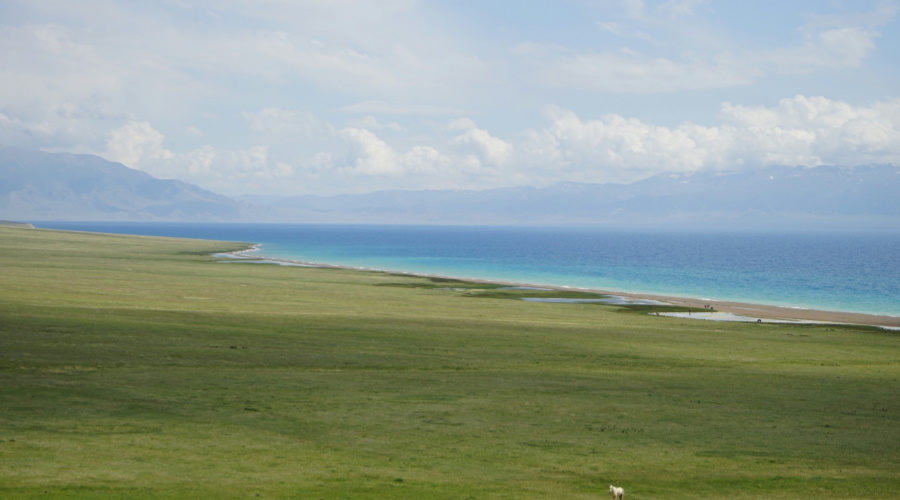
x=293 y=97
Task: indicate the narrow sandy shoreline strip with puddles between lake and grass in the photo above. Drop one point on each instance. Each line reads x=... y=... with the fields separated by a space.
x=749 y=310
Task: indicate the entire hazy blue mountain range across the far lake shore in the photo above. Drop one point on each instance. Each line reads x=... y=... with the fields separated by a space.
x=44 y=186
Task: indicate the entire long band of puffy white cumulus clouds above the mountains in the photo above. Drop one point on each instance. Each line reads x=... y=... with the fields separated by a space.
x=610 y=148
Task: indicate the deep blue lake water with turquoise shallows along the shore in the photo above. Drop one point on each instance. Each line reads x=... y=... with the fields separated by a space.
x=857 y=272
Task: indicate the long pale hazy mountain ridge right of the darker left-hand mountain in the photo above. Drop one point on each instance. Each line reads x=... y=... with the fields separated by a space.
x=771 y=195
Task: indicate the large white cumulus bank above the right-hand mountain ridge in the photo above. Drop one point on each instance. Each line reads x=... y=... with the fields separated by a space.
x=797 y=131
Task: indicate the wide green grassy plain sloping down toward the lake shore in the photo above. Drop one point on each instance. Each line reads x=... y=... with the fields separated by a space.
x=134 y=367
